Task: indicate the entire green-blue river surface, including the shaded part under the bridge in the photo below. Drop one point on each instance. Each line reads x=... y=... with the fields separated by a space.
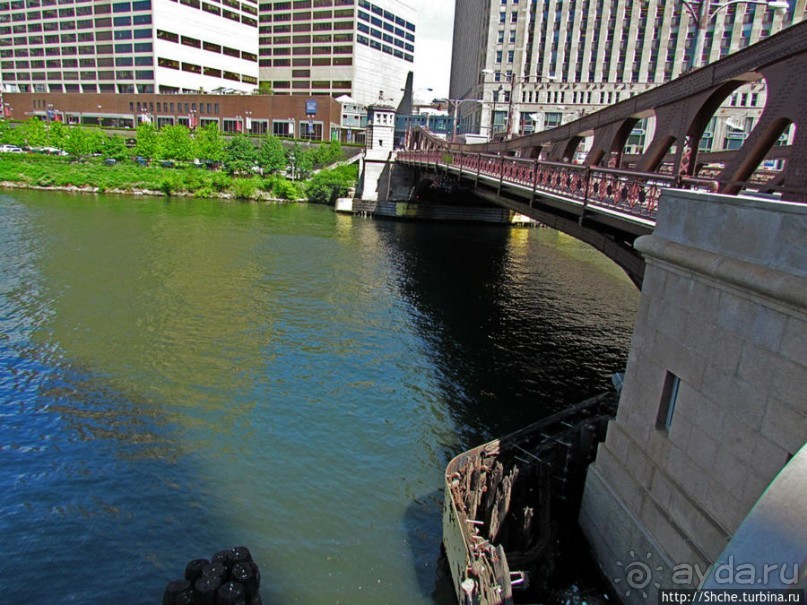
x=179 y=377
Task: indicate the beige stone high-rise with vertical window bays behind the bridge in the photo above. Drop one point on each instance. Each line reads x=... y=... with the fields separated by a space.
x=535 y=65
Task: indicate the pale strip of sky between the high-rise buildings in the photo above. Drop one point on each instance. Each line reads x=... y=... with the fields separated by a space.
x=432 y=66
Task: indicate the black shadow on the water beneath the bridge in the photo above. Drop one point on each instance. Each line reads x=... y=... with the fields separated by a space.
x=493 y=311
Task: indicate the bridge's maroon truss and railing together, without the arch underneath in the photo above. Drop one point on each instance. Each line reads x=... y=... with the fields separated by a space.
x=681 y=112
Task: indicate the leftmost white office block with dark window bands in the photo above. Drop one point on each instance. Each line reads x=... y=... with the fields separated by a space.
x=138 y=46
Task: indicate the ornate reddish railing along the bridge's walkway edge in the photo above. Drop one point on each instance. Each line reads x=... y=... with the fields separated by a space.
x=627 y=192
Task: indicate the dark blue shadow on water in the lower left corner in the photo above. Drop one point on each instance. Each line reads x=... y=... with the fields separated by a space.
x=109 y=507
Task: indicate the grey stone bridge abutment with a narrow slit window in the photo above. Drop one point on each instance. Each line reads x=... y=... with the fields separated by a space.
x=713 y=405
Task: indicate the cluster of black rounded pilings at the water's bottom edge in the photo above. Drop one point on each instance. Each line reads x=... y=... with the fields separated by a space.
x=230 y=577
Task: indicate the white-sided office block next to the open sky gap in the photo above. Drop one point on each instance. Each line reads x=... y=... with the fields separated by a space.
x=337 y=47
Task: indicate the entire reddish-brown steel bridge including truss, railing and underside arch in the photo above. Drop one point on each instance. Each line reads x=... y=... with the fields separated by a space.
x=610 y=198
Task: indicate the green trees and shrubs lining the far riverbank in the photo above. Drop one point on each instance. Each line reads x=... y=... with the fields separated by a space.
x=102 y=163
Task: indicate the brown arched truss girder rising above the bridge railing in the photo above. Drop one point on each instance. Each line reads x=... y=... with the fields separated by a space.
x=682 y=110
